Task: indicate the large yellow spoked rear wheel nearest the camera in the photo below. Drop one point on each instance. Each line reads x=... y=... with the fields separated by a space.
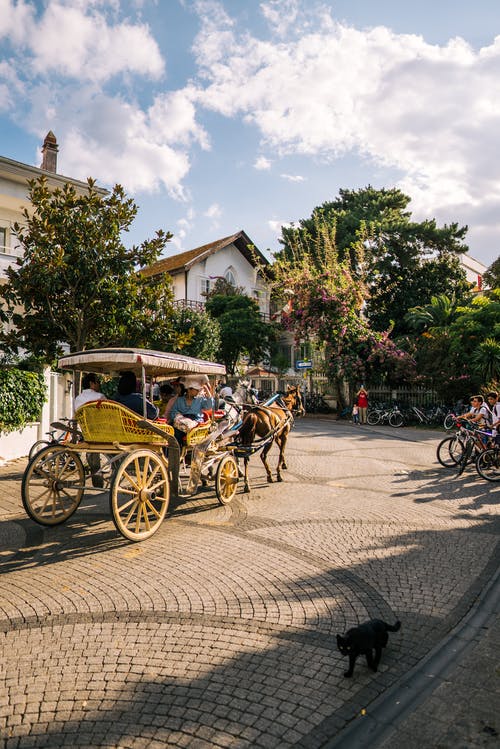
x=139 y=494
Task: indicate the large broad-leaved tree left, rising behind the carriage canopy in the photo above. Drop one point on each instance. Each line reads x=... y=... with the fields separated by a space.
x=77 y=284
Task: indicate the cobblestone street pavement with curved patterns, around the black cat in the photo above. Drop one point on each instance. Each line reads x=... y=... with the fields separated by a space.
x=220 y=629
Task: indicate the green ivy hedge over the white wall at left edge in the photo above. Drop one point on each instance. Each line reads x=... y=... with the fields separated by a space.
x=22 y=395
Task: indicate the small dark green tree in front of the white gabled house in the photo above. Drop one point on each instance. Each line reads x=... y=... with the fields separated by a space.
x=242 y=330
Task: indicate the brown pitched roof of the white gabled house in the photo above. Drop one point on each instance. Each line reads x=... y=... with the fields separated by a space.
x=185 y=260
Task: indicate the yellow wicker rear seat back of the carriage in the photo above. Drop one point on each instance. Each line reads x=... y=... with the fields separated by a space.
x=108 y=421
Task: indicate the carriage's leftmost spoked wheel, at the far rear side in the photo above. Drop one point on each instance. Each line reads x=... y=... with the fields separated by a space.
x=53 y=485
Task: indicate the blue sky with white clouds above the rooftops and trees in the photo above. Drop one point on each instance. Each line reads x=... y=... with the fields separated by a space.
x=220 y=115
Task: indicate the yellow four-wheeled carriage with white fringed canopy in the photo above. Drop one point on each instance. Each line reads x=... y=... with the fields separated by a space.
x=141 y=460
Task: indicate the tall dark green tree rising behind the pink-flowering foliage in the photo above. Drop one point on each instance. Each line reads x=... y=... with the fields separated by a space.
x=402 y=263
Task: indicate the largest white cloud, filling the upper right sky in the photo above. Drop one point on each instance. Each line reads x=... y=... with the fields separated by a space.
x=425 y=110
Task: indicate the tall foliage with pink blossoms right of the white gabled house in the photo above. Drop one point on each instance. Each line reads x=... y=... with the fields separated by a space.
x=325 y=305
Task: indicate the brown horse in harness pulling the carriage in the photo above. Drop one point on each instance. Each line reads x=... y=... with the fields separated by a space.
x=270 y=424
